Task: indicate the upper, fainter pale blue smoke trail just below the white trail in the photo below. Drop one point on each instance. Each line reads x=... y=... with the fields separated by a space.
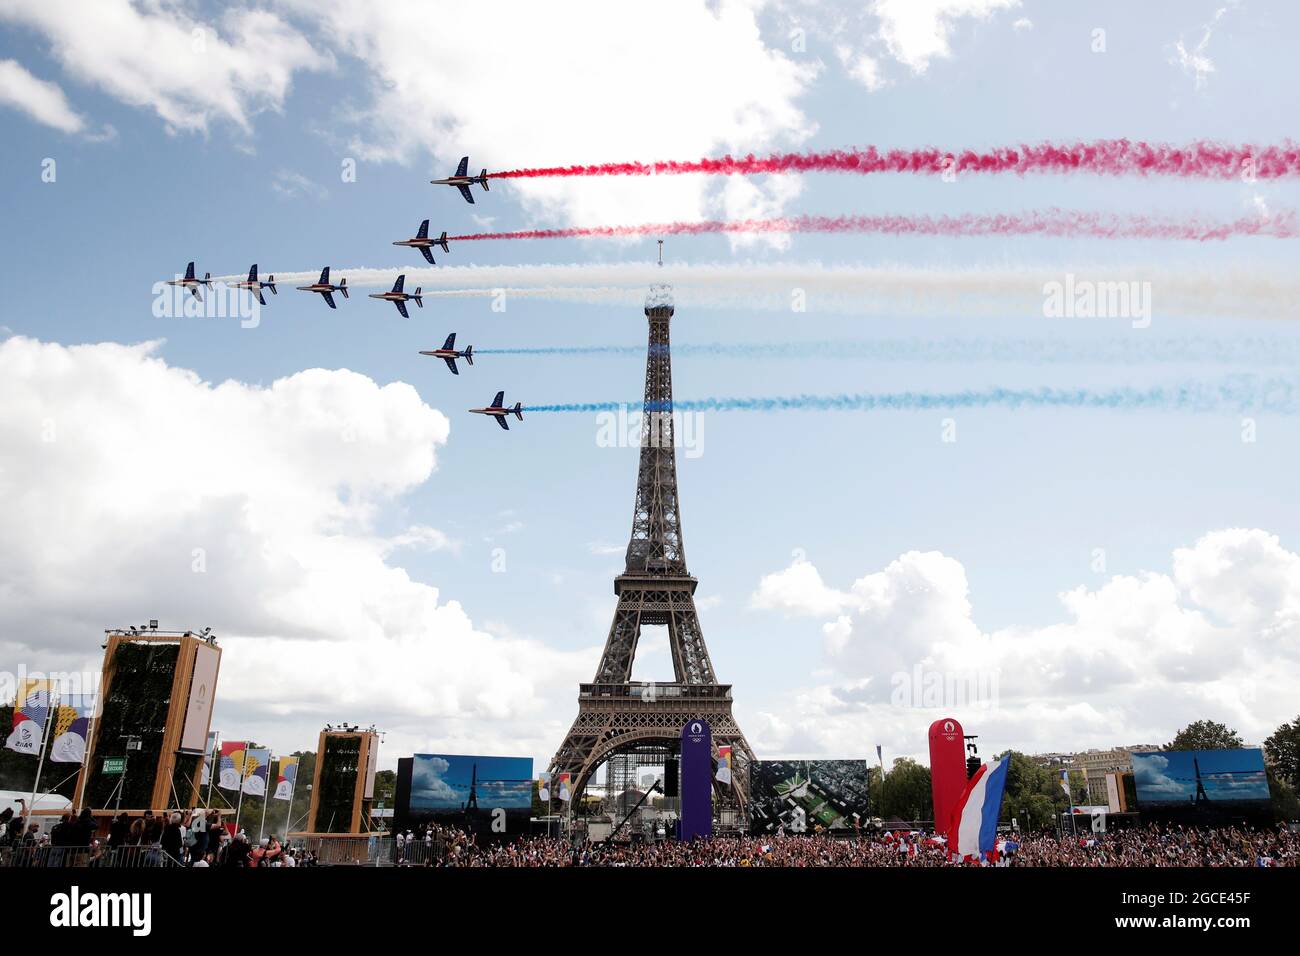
x=1279 y=351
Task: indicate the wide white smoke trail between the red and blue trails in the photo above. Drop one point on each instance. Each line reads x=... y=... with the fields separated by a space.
x=1193 y=291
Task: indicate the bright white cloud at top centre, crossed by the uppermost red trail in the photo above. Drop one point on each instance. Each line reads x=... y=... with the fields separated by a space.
x=597 y=83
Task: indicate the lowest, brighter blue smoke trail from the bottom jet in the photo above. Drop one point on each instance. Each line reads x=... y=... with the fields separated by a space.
x=1232 y=395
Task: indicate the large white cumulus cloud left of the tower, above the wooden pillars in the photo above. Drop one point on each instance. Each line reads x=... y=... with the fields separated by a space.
x=135 y=490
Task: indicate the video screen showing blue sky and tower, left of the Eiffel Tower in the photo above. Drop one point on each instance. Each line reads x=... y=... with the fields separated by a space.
x=491 y=797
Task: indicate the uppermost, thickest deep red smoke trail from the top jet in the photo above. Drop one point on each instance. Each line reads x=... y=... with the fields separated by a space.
x=1199 y=161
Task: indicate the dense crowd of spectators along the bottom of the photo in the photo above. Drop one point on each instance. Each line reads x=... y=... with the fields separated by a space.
x=201 y=840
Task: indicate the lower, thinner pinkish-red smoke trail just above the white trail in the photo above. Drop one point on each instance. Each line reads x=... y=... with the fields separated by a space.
x=1051 y=223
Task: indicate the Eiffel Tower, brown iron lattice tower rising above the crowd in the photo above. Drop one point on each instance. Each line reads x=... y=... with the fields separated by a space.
x=617 y=716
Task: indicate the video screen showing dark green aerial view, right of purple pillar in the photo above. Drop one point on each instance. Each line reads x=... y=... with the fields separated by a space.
x=807 y=795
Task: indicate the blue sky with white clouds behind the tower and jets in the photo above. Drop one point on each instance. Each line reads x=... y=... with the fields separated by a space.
x=357 y=581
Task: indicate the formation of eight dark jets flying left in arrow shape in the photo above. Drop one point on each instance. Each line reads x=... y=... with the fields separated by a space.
x=423 y=243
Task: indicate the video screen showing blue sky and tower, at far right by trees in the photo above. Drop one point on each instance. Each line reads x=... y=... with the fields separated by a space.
x=1203 y=786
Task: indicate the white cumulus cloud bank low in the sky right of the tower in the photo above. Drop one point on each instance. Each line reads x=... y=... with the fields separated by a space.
x=1130 y=661
